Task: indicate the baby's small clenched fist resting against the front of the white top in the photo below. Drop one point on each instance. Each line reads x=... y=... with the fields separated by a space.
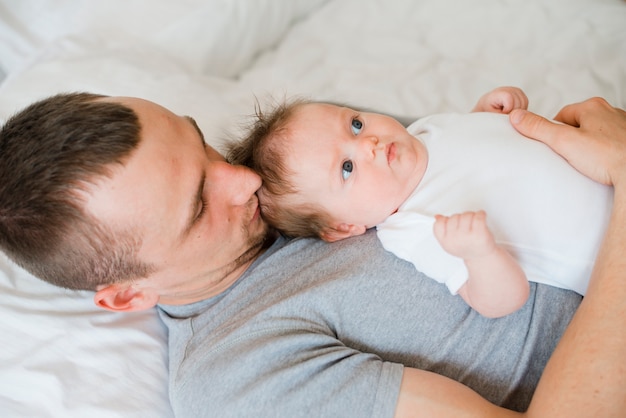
x=464 y=235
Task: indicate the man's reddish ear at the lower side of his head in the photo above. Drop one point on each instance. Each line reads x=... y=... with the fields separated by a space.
x=123 y=297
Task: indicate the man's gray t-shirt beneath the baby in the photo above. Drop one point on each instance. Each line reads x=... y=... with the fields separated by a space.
x=323 y=330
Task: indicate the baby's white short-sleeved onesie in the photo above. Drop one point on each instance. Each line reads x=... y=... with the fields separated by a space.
x=548 y=215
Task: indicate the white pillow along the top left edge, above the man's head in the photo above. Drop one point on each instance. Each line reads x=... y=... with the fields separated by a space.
x=217 y=37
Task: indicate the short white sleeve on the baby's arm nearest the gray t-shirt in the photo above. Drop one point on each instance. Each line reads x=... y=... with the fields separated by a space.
x=410 y=236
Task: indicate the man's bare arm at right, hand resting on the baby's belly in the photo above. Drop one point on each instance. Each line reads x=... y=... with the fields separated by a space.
x=586 y=375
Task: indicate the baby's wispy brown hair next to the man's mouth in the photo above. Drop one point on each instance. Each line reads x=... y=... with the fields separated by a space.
x=264 y=149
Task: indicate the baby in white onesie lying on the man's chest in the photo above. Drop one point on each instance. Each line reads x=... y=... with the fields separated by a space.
x=333 y=172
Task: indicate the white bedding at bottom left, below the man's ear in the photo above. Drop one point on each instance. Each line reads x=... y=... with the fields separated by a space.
x=61 y=356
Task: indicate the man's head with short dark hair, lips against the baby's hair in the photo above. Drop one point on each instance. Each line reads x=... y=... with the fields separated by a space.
x=166 y=202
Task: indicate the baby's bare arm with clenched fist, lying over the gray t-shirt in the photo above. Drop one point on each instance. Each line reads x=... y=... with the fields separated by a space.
x=496 y=285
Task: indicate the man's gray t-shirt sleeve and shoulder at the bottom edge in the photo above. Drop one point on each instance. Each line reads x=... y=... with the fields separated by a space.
x=282 y=373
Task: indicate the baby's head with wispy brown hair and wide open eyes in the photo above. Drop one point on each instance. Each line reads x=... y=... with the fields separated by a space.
x=329 y=171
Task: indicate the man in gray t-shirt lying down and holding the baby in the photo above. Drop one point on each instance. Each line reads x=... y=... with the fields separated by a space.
x=263 y=326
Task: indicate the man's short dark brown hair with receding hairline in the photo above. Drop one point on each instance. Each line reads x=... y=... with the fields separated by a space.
x=49 y=153
